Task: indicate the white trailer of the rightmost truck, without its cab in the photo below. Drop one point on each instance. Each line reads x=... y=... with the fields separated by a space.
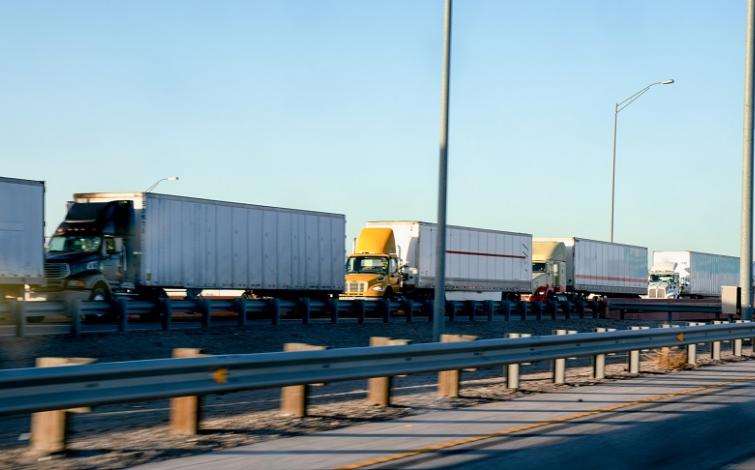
x=700 y=274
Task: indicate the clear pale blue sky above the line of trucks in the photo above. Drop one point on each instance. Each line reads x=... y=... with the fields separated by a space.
x=334 y=106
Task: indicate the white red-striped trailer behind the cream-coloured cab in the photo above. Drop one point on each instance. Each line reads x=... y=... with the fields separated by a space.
x=598 y=267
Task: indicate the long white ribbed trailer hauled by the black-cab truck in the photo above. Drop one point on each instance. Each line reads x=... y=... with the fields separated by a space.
x=185 y=242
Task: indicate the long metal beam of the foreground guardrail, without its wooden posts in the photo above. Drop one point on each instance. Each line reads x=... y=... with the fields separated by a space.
x=34 y=389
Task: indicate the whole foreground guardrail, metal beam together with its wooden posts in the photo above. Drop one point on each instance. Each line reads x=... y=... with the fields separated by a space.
x=50 y=392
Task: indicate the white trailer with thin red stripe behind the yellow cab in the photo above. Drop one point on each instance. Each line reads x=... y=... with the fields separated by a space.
x=477 y=260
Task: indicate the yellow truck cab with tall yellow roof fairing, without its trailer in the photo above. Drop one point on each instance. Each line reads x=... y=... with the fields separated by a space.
x=372 y=271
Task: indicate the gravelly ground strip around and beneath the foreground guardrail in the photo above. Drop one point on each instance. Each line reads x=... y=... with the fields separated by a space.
x=117 y=436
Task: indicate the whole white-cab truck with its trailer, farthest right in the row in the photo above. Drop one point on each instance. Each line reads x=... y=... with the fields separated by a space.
x=691 y=274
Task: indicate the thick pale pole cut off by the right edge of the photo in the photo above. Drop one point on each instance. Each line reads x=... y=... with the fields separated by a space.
x=745 y=255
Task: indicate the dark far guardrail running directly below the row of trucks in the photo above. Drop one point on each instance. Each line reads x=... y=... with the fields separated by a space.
x=277 y=310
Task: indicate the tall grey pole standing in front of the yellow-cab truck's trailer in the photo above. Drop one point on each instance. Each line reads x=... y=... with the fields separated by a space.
x=439 y=306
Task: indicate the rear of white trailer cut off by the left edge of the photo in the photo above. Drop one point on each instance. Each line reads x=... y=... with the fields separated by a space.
x=22 y=237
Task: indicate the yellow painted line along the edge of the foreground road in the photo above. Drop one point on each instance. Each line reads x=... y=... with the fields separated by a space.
x=536 y=425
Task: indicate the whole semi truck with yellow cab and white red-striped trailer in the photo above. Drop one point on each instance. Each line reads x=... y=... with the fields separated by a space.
x=397 y=258
